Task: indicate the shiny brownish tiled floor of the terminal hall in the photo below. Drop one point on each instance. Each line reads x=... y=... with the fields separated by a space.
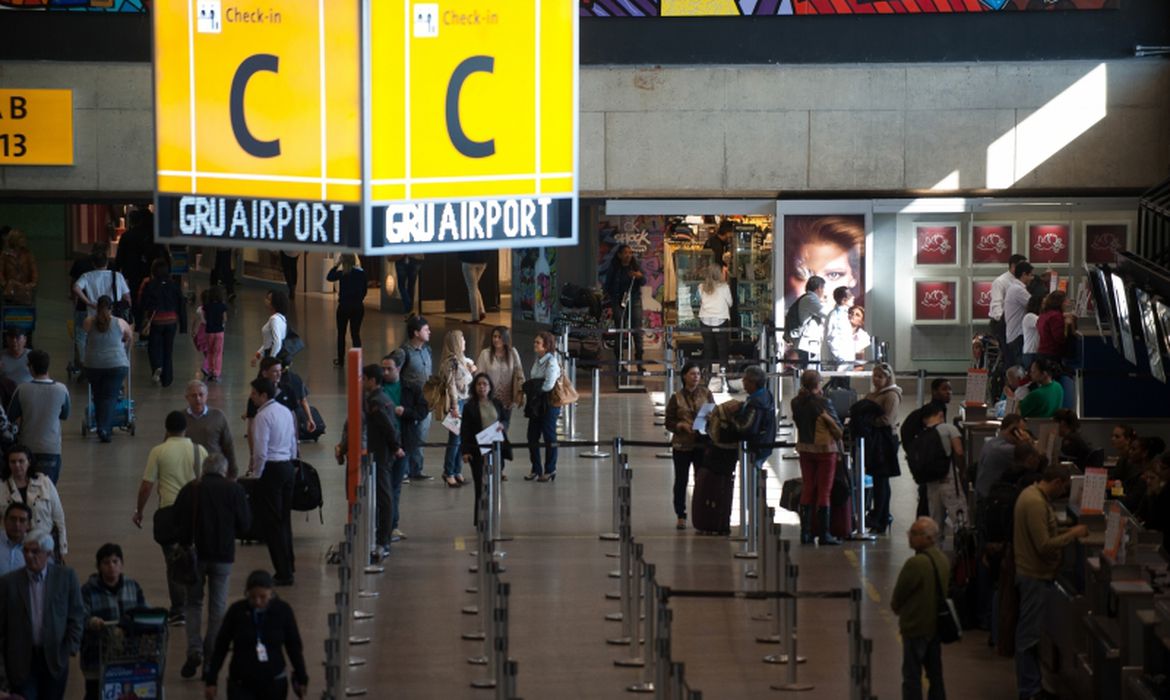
x=556 y=565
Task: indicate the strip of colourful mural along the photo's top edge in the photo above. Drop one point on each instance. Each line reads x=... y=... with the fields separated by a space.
x=666 y=9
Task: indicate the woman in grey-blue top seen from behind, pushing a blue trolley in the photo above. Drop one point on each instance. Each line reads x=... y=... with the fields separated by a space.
x=107 y=363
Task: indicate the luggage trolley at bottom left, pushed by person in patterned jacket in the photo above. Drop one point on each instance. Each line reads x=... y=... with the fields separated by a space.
x=134 y=656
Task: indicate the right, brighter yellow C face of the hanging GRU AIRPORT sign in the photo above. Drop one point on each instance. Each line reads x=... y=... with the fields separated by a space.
x=474 y=126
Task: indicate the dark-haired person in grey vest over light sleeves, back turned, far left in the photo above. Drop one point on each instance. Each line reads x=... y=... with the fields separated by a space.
x=40 y=407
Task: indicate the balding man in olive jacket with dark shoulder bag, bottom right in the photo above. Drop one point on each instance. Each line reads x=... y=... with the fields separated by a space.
x=916 y=601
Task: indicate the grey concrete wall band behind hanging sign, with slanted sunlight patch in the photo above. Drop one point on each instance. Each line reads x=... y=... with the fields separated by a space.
x=742 y=132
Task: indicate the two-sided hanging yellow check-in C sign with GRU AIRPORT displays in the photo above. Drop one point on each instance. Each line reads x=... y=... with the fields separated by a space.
x=377 y=127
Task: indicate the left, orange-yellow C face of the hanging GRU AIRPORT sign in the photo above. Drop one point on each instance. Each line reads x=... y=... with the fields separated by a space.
x=258 y=123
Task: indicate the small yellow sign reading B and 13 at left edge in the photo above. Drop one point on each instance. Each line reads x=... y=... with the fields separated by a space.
x=37 y=127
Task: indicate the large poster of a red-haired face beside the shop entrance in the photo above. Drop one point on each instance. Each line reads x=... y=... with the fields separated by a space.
x=832 y=248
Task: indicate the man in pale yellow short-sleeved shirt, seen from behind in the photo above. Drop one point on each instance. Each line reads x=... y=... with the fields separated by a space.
x=173 y=465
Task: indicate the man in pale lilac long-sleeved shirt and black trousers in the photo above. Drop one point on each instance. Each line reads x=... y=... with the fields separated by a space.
x=274 y=448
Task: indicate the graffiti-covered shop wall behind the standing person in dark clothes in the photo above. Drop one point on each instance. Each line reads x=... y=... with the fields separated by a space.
x=646 y=237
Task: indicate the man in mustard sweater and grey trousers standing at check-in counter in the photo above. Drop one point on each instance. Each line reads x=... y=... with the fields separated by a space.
x=1038 y=543
